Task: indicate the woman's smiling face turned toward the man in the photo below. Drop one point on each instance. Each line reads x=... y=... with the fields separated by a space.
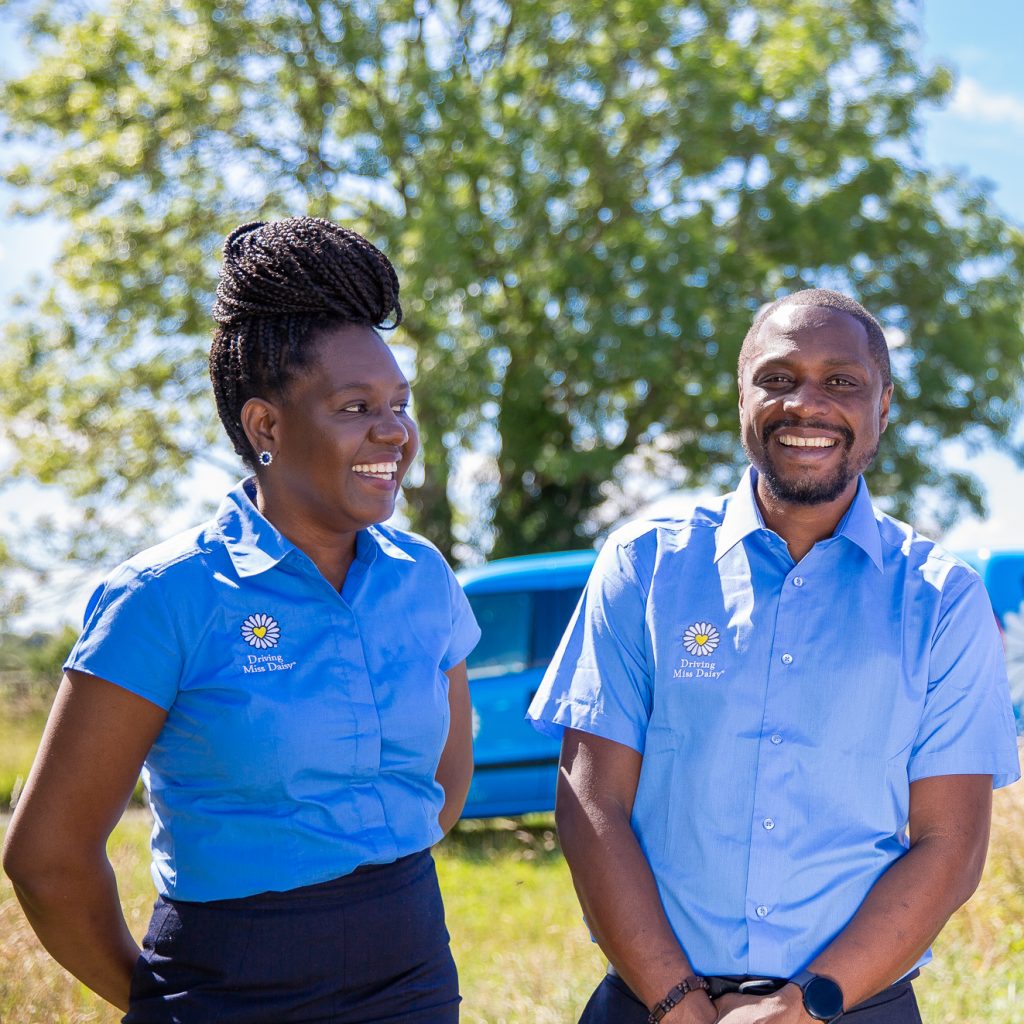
x=345 y=439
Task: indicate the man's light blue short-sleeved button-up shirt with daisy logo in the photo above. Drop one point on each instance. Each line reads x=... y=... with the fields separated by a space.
x=783 y=711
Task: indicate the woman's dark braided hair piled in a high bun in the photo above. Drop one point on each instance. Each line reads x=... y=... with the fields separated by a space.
x=282 y=283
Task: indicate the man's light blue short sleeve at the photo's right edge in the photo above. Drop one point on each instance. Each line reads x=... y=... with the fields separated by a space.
x=967 y=726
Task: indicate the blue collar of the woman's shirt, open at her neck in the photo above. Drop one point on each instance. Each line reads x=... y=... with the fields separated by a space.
x=254 y=545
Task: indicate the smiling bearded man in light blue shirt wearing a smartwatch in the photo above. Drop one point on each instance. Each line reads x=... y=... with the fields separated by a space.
x=783 y=718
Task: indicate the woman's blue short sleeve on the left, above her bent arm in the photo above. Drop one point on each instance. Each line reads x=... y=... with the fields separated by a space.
x=131 y=638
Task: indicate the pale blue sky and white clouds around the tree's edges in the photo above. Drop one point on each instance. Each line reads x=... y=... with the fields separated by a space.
x=979 y=133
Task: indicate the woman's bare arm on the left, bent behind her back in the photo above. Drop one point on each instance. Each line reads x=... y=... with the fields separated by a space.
x=93 y=750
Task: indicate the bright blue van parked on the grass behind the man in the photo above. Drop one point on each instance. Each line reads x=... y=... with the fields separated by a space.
x=524 y=606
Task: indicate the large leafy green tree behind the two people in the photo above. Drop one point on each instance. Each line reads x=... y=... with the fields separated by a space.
x=586 y=206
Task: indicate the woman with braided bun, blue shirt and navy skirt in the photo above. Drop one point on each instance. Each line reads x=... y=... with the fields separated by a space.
x=291 y=679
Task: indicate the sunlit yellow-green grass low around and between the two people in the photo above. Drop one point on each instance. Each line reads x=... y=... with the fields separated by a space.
x=525 y=956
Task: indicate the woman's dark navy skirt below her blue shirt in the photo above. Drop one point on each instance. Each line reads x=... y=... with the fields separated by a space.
x=368 y=949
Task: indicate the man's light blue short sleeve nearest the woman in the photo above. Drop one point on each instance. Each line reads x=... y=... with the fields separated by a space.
x=600 y=680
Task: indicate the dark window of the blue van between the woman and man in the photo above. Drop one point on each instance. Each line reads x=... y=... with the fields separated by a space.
x=520 y=630
